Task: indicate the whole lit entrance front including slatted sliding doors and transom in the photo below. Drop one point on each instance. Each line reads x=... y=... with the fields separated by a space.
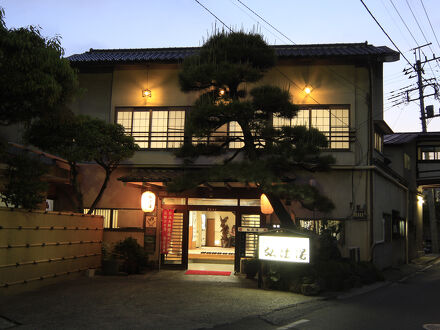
x=212 y=233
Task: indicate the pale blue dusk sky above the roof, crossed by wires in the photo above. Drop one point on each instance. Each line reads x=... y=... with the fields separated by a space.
x=175 y=23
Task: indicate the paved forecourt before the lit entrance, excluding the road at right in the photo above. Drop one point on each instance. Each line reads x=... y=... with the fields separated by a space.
x=165 y=300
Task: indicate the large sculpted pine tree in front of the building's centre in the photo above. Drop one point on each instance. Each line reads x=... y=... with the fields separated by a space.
x=222 y=71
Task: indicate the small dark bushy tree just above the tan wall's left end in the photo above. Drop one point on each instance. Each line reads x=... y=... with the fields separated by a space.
x=23 y=181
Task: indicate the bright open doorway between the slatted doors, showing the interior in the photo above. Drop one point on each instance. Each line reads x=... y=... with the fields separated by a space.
x=211 y=240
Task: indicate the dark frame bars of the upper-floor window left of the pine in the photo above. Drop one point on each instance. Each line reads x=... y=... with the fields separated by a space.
x=150 y=133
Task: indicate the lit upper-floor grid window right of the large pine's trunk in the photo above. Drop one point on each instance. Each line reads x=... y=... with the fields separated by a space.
x=333 y=122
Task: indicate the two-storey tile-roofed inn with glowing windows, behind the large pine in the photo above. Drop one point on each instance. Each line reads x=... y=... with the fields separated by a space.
x=374 y=203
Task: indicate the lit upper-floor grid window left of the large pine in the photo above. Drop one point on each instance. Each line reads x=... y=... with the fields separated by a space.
x=153 y=127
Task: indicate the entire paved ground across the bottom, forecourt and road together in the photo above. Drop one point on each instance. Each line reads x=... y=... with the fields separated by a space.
x=171 y=300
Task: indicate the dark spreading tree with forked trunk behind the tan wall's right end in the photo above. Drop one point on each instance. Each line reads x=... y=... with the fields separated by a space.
x=83 y=139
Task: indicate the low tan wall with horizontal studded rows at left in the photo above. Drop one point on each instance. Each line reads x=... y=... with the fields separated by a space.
x=36 y=246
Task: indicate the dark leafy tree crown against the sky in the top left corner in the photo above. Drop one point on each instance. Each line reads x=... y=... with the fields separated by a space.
x=34 y=78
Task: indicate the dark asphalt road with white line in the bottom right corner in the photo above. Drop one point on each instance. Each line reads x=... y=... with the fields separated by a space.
x=412 y=303
